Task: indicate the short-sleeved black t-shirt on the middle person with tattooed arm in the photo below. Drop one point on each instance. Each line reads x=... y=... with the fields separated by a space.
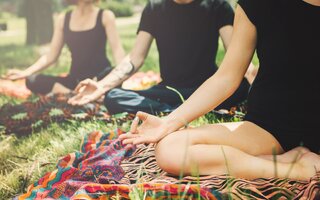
x=187 y=38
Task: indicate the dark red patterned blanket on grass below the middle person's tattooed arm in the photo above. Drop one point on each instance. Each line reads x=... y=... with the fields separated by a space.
x=36 y=114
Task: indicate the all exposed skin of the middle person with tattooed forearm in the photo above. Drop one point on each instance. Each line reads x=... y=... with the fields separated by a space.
x=90 y=90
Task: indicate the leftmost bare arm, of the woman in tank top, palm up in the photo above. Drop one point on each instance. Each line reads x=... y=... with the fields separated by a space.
x=46 y=60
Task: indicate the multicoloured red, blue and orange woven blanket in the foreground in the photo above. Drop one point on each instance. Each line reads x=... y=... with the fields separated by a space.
x=95 y=173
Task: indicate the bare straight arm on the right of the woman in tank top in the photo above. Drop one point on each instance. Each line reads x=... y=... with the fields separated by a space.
x=112 y=34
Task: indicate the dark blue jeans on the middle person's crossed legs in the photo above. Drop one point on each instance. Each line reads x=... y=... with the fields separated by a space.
x=159 y=99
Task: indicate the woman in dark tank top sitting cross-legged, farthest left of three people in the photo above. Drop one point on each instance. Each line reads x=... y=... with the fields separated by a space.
x=85 y=30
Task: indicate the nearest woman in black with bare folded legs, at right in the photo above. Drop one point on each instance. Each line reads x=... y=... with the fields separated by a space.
x=282 y=118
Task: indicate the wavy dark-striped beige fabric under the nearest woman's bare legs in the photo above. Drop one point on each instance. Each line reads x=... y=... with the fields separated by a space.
x=142 y=167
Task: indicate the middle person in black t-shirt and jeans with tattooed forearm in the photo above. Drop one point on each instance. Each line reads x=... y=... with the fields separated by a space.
x=186 y=34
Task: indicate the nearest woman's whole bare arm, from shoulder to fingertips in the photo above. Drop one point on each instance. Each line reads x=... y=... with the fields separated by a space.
x=225 y=81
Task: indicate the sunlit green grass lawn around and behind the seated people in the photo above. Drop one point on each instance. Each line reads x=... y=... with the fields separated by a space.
x=24 y=160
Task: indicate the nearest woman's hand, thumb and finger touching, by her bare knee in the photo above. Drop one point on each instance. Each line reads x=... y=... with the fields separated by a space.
x=152 y=130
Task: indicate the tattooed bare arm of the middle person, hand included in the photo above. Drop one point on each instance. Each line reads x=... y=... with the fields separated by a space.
x=89 y=90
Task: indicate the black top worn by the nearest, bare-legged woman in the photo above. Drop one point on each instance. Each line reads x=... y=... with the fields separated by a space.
x=285 y=94
